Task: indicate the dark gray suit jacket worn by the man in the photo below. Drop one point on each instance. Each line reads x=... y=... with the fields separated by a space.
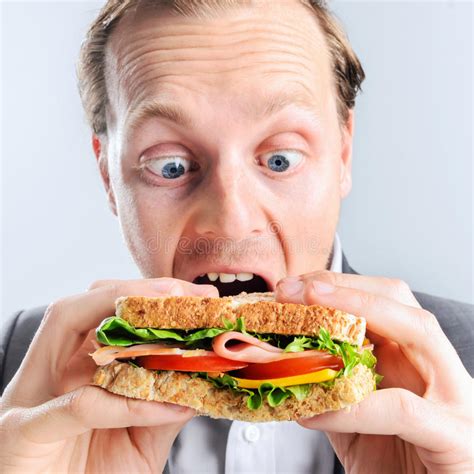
x=456 y=319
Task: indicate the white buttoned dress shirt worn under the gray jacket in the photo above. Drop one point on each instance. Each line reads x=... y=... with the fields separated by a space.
x=237 y=447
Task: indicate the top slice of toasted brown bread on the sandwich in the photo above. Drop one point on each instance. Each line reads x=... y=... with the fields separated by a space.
x=261 y=313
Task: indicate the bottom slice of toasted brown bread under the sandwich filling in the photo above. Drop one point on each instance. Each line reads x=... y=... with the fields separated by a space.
x=180 y=388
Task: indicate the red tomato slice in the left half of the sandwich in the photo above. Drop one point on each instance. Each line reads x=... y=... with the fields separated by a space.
x=207 y=362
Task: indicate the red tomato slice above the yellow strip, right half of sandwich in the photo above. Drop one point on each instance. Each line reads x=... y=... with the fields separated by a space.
x=289 y=367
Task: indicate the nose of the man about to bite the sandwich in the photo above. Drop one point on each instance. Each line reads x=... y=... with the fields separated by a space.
x=230 y=205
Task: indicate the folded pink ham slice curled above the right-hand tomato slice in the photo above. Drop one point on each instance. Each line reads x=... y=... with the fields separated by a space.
x=252 y=350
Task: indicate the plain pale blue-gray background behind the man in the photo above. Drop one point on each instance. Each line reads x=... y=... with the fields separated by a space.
x=410 y=211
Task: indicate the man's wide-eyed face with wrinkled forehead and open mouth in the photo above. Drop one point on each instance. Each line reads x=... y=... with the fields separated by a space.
x=224 y=149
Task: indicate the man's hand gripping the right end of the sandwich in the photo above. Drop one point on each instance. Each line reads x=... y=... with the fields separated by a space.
x=422 y=419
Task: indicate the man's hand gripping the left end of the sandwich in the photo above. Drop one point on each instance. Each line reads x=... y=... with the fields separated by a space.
x=53 y=421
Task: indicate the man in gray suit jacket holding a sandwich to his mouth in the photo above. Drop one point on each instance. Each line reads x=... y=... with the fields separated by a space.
x=223 y=134
